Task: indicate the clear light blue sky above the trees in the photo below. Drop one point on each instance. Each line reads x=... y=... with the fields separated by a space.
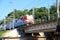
x=7 y=6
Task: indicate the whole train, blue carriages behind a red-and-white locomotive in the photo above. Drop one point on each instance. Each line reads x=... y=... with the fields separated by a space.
x=23 y=20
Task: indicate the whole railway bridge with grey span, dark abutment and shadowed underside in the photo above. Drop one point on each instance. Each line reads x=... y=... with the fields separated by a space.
x=45 y=29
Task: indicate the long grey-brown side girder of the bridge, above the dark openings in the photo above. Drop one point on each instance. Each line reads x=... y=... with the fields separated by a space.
x=46 y=26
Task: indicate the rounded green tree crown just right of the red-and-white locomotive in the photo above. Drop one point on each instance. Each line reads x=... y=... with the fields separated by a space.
x=39 y=12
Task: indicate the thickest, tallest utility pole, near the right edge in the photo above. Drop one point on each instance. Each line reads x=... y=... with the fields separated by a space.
x=58 y=21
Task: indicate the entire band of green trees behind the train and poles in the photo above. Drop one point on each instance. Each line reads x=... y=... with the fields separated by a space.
x=40 y=13
